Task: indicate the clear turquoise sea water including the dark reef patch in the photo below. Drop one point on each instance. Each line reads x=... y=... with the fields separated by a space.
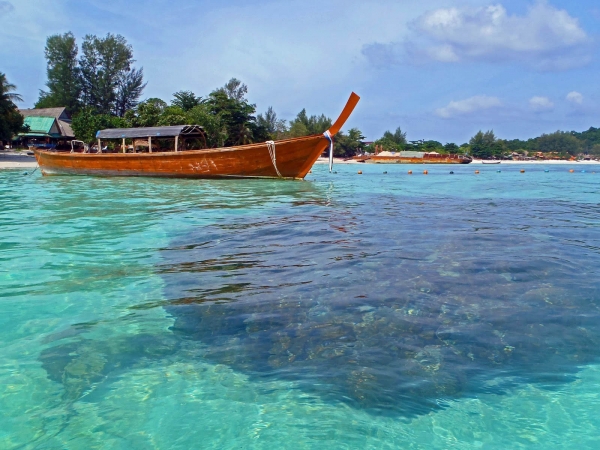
x=371 y=311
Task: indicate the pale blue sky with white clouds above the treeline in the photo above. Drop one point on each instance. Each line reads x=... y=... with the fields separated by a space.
x=440 y=69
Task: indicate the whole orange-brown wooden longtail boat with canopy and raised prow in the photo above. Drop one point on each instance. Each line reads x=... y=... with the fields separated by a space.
x=288 y=158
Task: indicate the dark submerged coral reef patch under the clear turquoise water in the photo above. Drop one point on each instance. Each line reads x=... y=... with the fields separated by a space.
x=388 y=304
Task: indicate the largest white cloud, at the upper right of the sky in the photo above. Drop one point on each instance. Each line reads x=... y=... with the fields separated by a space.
x=545 y=38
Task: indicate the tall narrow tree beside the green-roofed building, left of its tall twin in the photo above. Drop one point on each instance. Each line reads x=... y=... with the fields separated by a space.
x=64 y=81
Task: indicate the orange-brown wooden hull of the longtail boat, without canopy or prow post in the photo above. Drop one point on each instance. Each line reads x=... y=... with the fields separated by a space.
x=293 y=158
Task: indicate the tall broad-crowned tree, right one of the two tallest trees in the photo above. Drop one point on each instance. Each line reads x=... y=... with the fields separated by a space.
x=109 y=83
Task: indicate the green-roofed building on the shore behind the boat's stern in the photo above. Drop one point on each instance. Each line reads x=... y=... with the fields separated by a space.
x=48 y=128
